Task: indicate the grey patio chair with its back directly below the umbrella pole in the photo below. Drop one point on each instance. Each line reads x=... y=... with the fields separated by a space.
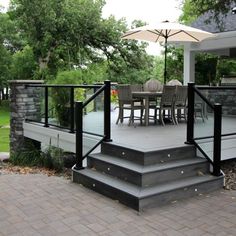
x=166 y=104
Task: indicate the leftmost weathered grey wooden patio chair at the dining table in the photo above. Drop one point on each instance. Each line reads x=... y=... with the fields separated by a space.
x=127 y=102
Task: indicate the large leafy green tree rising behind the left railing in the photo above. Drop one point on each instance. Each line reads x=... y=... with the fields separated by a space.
x=65 y=34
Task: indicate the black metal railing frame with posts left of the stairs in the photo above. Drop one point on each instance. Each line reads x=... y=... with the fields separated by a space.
x=79 y=106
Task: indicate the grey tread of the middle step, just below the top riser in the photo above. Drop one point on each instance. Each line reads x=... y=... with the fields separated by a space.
x=147 y=168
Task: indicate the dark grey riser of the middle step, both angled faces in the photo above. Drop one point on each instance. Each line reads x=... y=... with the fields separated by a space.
x=148 y=179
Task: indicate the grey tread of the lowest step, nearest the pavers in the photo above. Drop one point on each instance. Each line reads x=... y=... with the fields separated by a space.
x=147 y=191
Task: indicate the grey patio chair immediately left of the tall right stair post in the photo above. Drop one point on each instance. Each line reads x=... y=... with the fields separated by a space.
x=180 y=103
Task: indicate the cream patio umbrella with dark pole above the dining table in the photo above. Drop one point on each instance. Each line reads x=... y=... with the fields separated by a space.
x=167 y=32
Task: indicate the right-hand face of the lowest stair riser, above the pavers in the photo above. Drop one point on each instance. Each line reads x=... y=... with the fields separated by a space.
x=180 y=194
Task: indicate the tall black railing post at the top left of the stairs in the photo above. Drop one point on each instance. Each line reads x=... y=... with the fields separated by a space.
x=107 y=111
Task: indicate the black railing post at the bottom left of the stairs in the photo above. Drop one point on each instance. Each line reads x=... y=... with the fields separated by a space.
x=79 y=135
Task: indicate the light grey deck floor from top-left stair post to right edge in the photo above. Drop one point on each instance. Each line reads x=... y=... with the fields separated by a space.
x=156 y=136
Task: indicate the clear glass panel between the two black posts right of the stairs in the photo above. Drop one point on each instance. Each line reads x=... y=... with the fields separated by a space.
x=203 y=125
